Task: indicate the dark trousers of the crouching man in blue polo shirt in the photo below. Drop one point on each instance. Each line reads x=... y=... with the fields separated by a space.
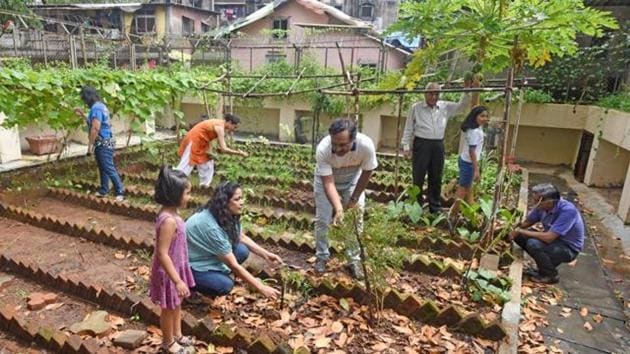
x=547 y=255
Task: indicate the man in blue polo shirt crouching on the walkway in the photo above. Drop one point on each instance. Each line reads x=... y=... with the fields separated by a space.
x=562 y=238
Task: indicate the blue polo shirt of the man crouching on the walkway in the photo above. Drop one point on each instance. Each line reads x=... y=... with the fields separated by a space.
x=565 y=220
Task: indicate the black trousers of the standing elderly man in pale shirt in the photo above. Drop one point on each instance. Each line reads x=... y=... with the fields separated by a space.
x=428 y=157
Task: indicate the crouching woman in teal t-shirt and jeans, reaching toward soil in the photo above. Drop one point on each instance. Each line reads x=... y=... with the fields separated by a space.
x=217 y=246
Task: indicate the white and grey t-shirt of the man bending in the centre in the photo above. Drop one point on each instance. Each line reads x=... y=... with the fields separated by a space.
x=345 y=169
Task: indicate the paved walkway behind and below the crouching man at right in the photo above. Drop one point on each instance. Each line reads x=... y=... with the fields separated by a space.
x=586 y=284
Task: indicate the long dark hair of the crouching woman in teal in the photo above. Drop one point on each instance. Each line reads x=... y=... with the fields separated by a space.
x=218 y=207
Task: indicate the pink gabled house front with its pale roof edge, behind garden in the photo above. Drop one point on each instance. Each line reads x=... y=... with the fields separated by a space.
x=298 y=28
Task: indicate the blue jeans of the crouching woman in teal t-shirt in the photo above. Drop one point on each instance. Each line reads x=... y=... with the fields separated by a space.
x=215 y=283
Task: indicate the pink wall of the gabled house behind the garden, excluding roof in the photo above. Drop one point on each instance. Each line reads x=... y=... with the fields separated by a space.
x=257 y=33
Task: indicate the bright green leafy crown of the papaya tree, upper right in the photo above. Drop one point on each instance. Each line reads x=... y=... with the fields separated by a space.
x=497 y=34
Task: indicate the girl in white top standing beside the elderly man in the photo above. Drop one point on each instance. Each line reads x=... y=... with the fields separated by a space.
x=470 y=150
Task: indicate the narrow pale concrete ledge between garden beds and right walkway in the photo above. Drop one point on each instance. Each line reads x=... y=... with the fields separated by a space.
x=511 y=314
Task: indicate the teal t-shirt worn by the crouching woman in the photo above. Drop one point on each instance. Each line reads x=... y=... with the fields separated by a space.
x=206 y=242
